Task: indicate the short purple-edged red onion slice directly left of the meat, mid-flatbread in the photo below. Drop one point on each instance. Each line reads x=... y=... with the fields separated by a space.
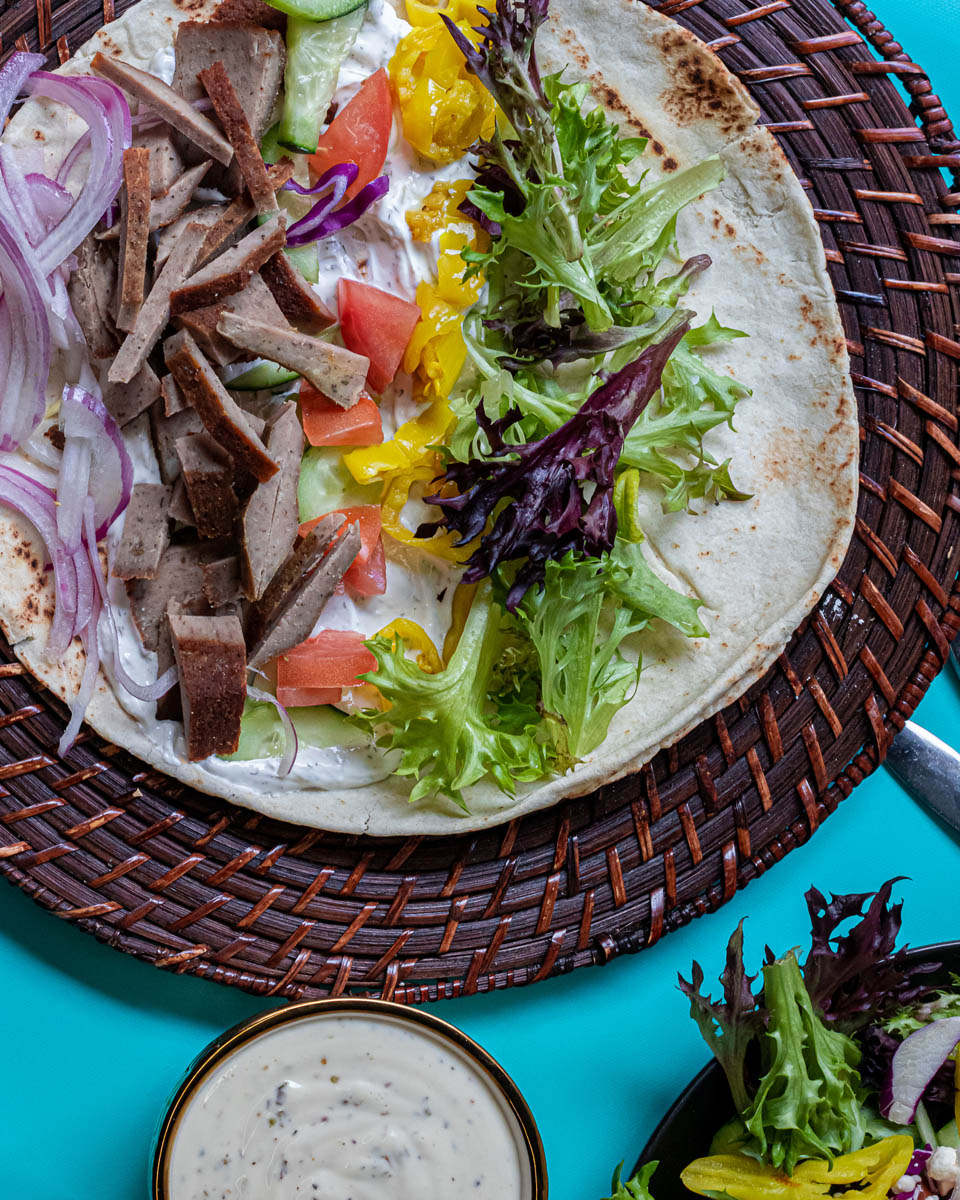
x=85 y=416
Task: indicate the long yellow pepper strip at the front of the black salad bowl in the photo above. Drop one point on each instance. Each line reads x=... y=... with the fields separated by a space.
x=865 y=1174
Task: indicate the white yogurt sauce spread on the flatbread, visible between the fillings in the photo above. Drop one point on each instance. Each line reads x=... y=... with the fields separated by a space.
x=377 y=250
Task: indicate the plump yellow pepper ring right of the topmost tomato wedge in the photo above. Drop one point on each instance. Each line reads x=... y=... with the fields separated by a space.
x=445 y=109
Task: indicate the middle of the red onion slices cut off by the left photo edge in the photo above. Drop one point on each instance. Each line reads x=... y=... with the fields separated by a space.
x=26 y=341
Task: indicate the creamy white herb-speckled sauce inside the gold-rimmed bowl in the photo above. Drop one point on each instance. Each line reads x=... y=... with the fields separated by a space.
x=349 y=1108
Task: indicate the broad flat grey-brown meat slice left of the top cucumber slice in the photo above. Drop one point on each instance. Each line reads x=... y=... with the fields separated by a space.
x=254 y=59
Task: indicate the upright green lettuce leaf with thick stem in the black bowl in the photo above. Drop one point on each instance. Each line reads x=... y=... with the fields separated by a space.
x=808 y=1102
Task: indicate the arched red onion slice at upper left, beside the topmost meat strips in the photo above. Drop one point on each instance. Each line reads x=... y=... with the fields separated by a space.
x=103 y=106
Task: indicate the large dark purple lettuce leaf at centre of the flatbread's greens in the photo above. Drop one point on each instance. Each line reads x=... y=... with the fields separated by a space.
x=535 y=493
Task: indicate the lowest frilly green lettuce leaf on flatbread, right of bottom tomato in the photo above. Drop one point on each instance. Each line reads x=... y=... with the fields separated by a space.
x=475 y=718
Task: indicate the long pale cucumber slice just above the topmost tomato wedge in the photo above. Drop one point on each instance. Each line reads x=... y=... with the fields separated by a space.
x=315 y=53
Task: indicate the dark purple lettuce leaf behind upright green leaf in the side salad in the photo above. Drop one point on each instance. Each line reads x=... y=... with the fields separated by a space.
x=856 y=979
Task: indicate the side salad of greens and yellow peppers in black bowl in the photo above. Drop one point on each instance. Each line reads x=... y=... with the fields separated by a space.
x=835 y=1076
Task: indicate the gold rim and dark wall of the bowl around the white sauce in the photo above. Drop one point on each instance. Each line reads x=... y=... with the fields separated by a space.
x=217 y=1055
